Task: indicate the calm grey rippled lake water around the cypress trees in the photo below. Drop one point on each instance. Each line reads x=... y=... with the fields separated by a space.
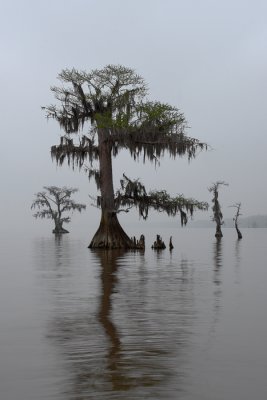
x=78 y=324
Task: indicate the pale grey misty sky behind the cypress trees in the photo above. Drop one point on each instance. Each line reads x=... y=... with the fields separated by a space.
x=206 y=57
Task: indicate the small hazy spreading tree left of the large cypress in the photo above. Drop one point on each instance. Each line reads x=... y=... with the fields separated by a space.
x=53 y=202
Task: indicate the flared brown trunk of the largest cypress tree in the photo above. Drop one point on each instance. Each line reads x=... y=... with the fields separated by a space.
x=110 y=234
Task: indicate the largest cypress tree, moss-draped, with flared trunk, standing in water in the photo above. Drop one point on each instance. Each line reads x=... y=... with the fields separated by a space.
x=111 y=101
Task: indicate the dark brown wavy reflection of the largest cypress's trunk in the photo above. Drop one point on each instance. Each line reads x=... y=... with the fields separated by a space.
x=127 y=368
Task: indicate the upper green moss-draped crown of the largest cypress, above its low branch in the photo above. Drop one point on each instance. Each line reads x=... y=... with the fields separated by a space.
x=114 y=99
